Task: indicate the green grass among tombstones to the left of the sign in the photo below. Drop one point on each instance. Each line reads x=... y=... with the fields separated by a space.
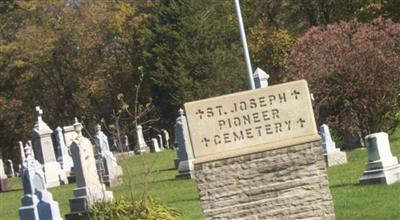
x=180 y=194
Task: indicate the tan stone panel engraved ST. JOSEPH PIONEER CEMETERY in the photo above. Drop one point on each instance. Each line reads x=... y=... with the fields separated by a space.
x=240 y=120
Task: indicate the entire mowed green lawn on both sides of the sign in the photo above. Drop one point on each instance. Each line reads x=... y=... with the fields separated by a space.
x=351 y=200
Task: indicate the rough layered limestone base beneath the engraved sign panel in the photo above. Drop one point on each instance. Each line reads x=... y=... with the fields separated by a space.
x=283 y=183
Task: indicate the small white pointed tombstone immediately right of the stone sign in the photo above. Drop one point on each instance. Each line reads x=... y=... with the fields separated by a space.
x=332 y=155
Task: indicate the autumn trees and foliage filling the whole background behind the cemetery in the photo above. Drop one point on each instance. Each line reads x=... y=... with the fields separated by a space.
x=76 y=57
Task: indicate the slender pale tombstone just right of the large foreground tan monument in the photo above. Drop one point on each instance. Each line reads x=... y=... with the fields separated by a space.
x=112 y=172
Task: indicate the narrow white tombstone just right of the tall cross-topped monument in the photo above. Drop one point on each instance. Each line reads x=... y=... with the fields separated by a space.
x=63 y=157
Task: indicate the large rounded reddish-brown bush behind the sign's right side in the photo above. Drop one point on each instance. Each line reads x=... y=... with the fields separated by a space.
x=353 y=71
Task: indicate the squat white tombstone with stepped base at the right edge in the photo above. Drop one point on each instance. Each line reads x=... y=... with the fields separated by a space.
x=382 y=166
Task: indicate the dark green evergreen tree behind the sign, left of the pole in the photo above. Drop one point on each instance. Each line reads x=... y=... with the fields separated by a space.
x=194 y=53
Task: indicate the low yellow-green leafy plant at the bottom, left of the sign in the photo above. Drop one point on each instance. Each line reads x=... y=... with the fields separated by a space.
x=124 y=209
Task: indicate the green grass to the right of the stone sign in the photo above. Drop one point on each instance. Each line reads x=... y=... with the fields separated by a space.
x=353 y=201
